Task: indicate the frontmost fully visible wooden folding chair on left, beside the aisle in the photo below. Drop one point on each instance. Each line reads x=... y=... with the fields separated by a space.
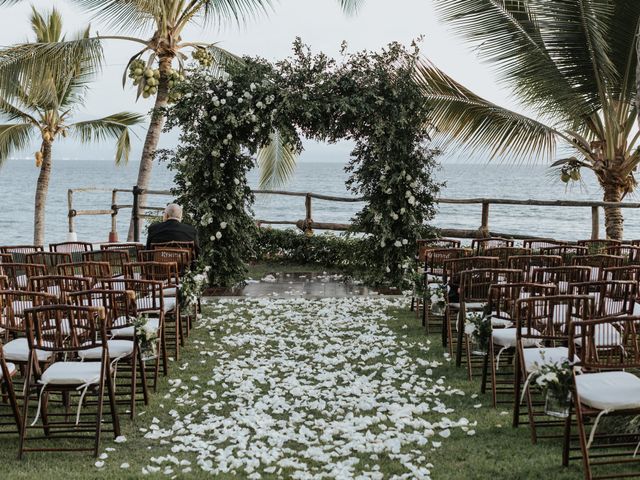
x=66 y=333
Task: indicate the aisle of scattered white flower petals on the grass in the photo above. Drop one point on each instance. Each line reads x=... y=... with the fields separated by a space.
x=306 y=389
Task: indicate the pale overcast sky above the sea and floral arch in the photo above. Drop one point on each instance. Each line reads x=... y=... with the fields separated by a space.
x=320 y=23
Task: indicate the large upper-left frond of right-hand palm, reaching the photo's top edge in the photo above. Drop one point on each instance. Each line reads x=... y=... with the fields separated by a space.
x=512 y=38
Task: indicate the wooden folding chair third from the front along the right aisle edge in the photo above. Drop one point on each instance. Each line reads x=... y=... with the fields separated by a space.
x=501 y=303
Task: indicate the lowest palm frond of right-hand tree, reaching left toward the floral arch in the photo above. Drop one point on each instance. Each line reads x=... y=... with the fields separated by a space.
x=476 y=125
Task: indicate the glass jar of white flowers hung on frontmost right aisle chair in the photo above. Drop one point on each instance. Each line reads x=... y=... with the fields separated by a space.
x=555 y=381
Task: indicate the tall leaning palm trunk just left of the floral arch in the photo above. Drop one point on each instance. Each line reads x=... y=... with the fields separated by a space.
x=153 y=135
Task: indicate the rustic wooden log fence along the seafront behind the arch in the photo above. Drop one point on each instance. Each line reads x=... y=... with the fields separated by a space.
x=308 y=224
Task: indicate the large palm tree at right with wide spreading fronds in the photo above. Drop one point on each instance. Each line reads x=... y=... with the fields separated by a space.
x=572 y=62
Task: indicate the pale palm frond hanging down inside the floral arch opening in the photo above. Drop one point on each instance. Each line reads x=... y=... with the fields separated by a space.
x=277 y=162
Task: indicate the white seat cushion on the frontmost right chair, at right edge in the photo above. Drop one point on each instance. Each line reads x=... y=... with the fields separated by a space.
x=609 y=390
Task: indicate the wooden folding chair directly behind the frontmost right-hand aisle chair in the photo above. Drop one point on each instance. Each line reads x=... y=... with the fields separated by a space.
x=542 y=334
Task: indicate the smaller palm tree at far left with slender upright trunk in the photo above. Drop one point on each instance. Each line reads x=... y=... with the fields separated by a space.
x=41 y=107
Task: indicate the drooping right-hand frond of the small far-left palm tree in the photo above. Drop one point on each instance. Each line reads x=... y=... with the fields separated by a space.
x=113 y=127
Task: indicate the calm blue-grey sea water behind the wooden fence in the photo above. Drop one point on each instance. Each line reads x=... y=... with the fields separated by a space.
x=18 y=179
